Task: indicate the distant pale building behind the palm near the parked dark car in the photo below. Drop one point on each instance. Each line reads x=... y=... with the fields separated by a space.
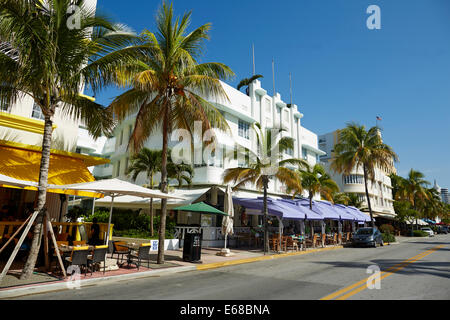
x=380 y=191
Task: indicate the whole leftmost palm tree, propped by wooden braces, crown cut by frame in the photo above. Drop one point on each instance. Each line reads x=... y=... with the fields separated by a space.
x=42 y=58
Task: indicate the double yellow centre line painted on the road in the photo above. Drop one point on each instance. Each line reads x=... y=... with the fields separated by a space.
x=361 y=285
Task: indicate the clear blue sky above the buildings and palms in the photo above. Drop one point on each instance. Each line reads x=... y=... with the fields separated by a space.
x=342 y=71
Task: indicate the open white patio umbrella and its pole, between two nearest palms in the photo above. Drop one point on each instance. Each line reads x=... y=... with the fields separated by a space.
x=115 y=188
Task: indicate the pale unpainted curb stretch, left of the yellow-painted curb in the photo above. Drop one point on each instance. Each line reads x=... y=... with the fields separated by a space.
x=36 y=289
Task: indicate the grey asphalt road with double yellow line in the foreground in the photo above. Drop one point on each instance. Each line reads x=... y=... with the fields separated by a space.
x=410 y=270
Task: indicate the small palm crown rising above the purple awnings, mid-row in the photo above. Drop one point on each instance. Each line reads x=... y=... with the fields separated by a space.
x=315 y=180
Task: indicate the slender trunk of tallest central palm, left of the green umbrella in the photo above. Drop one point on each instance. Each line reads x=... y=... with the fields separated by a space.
x=162 y=226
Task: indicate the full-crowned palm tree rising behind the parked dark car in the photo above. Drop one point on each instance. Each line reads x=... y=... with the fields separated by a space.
x=359 y=148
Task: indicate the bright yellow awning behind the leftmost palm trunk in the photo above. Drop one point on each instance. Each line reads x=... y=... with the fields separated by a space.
x=23 y=162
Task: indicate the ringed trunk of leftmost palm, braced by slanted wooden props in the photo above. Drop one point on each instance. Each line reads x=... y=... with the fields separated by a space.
x=42 y=195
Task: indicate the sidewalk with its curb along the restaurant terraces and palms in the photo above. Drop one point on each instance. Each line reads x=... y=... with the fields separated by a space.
x=12 y=287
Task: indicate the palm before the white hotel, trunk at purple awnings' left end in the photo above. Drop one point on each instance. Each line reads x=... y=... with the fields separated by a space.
x=264 y=165
